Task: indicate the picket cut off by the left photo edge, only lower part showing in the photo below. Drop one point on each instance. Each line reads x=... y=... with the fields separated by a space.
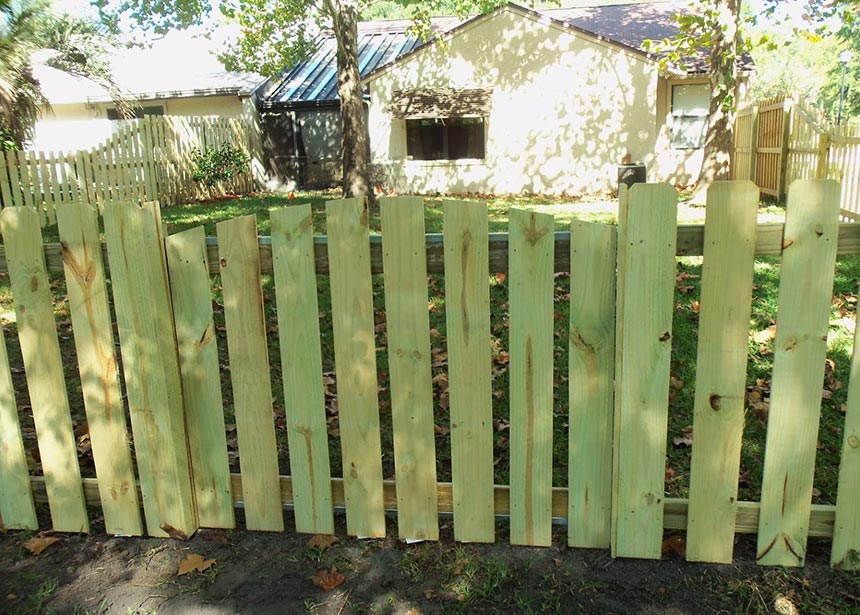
x=16 y=497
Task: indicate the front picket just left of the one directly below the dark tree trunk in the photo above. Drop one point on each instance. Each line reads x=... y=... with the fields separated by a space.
x=301 y=364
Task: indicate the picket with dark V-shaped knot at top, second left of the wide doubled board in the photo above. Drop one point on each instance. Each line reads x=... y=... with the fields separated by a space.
x=531 y=290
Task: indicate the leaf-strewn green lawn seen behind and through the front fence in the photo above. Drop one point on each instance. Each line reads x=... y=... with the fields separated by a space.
x=683 y=351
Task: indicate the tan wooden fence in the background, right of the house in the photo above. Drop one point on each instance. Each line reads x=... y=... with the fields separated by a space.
x=780 y=140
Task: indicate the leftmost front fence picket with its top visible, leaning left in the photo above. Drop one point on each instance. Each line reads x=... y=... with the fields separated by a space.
x=43 y=363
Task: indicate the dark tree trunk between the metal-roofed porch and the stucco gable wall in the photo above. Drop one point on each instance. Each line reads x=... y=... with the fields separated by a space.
x=356 y=141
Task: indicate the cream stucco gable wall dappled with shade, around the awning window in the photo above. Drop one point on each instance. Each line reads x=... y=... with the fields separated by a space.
x=566 y=109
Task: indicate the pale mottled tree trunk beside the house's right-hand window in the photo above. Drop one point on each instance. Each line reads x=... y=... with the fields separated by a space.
x=719 y=140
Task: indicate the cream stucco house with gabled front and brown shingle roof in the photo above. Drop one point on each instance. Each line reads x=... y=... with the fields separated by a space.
x=521 y=101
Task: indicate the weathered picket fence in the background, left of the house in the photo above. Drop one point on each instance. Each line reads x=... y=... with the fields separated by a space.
x=145 y=159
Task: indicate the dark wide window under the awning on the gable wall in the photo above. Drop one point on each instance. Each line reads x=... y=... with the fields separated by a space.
x=445 y=138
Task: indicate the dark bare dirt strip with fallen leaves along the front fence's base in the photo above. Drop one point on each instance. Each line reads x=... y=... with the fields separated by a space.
x=273 y=573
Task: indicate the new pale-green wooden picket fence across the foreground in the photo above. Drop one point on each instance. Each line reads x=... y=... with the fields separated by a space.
x=621 y=306
